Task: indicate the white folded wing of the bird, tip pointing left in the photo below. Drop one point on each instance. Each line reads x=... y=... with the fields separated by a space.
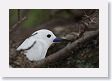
x=28 y=43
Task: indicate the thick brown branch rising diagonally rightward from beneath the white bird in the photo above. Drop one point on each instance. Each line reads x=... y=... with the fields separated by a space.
x=65 y=52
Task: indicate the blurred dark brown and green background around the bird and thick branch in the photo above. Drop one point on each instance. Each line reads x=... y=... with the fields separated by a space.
x=23 y=22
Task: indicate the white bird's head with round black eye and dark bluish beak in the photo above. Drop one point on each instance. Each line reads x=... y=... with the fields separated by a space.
x=47 y=36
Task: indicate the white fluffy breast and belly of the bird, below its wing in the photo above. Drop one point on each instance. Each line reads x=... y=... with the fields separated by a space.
x=37 y=52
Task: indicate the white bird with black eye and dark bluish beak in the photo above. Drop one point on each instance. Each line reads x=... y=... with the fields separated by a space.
x=35 y=47
